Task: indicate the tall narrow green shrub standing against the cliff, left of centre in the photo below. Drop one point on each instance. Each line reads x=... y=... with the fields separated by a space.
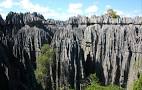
x=43 y=62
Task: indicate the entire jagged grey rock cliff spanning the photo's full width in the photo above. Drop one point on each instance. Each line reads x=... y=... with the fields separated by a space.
x=111 y=48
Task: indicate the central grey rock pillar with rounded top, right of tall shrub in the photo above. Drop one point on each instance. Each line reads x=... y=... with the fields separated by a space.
x=69 y=59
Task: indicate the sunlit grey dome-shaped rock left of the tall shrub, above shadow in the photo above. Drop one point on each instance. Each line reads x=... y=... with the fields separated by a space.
x=29 y=39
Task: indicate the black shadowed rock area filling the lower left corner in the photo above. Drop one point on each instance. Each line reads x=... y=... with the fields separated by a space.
x=14 y=74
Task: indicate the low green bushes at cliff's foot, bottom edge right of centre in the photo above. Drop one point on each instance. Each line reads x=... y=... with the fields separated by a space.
x=95 y=85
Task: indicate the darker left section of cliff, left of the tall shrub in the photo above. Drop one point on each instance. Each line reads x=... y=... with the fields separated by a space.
x=21 y=37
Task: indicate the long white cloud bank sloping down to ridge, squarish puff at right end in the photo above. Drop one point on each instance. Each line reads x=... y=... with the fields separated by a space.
x=47 y=12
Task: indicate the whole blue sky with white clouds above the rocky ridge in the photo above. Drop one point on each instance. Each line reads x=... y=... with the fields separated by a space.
x=62 y=9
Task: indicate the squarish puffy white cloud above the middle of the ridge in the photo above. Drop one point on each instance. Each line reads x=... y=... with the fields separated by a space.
x=75 y=8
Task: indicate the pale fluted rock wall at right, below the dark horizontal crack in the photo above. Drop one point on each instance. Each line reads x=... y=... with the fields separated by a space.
x=116 y=48
